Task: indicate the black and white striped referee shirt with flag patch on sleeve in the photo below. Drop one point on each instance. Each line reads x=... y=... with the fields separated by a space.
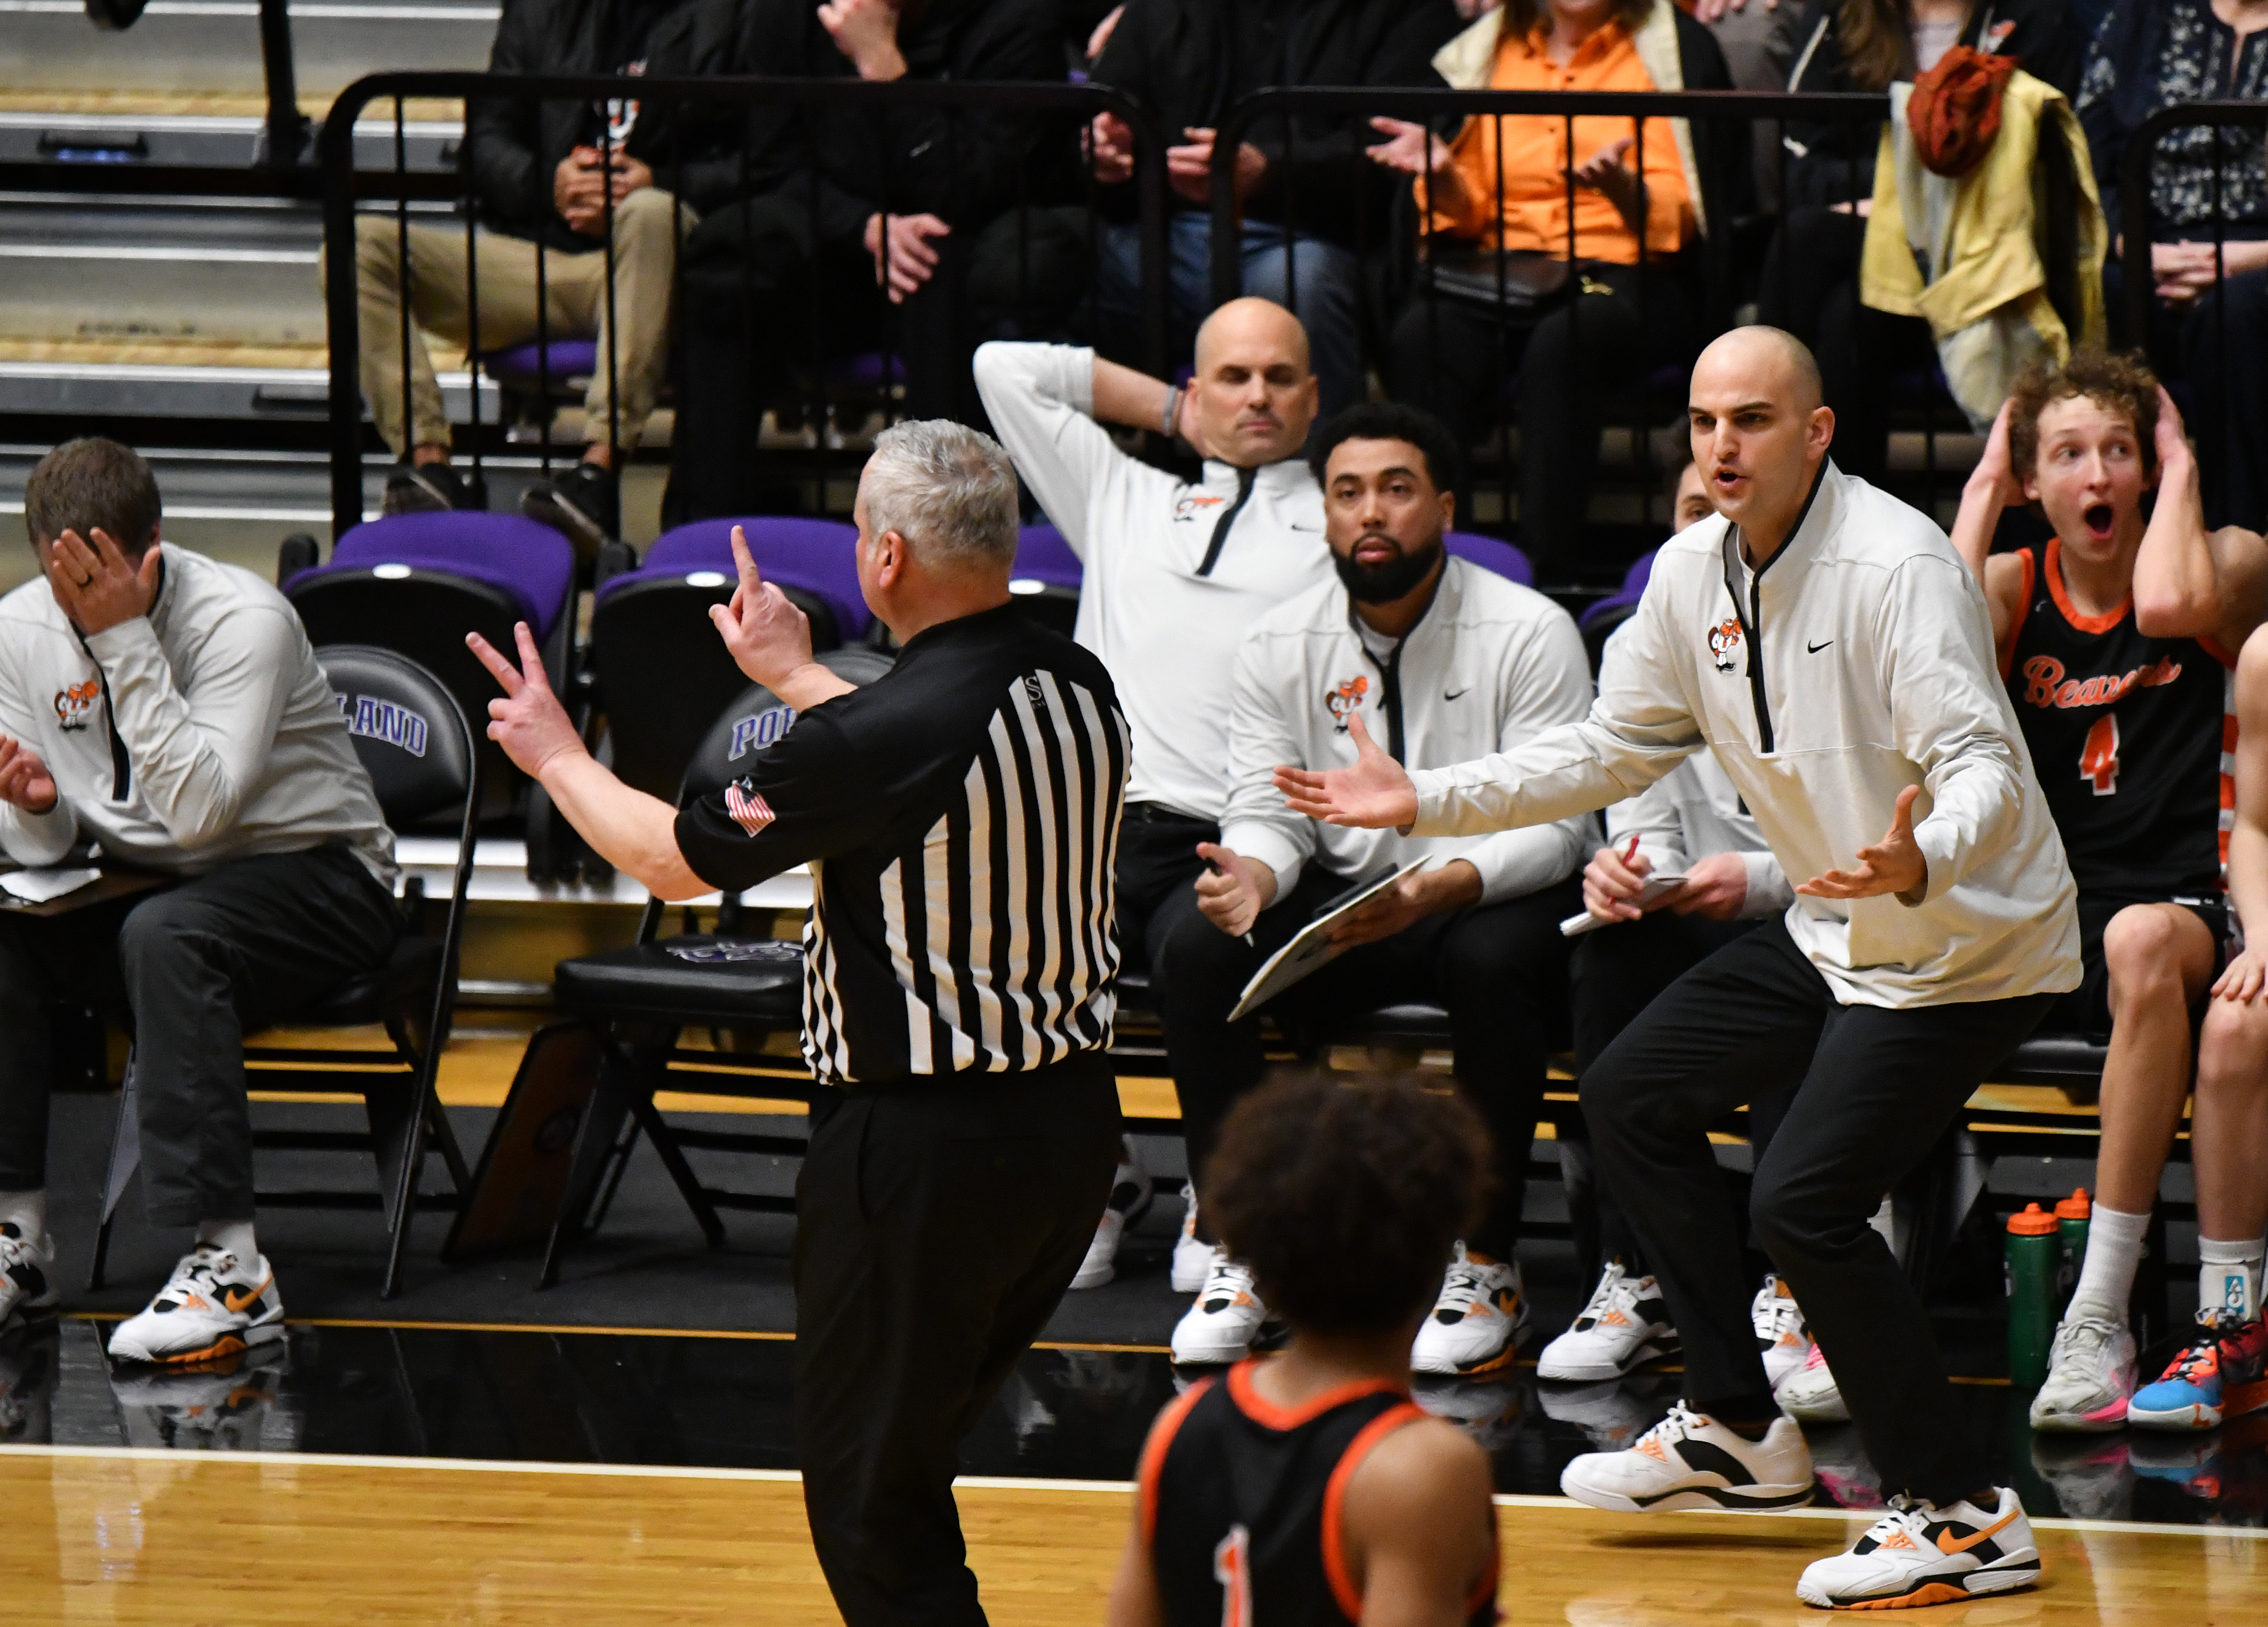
x=960 y=818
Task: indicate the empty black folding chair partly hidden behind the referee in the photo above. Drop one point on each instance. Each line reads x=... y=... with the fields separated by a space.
x=643 y=1000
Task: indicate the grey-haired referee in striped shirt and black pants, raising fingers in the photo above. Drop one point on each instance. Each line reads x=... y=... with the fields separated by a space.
x=960 y=818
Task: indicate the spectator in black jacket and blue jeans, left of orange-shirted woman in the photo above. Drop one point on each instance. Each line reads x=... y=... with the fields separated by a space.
x=1308 y=203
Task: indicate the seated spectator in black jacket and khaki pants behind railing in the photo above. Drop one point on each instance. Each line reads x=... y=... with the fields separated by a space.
x=555 y=176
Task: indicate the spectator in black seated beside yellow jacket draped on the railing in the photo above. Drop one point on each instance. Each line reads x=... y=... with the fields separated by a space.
x=1811 y=271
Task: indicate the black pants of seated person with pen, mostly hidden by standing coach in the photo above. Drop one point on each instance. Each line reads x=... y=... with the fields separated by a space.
x=1618 y=972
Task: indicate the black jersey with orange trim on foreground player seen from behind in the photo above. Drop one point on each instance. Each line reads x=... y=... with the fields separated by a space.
x=1242 y=1503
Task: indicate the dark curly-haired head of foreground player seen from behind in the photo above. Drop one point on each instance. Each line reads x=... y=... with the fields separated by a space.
x=1346 y=1195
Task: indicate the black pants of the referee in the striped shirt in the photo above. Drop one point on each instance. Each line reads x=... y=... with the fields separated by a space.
x=938 y=1224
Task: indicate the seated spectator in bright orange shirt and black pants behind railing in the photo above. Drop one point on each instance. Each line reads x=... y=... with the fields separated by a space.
x=1503 y=183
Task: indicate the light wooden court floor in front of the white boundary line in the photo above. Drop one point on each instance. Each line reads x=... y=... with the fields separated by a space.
x=253 y=1540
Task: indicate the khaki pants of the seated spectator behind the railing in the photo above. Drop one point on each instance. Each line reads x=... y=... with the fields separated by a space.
x=575 y=292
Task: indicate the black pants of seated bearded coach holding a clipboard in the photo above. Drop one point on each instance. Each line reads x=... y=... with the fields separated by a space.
x=1500 y=970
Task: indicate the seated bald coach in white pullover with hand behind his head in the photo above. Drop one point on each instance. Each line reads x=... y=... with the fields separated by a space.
x=1174 y=575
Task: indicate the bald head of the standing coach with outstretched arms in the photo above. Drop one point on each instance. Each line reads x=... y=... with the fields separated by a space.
x=1759 y=428
